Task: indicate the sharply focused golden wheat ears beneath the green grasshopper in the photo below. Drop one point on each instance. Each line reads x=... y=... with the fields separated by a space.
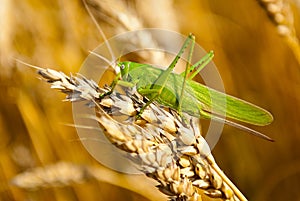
x=161 y=143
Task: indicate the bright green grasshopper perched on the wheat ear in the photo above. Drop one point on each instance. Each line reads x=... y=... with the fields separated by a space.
x=181 y=93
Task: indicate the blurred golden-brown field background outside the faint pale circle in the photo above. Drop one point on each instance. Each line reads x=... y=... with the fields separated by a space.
x=256 y=52
